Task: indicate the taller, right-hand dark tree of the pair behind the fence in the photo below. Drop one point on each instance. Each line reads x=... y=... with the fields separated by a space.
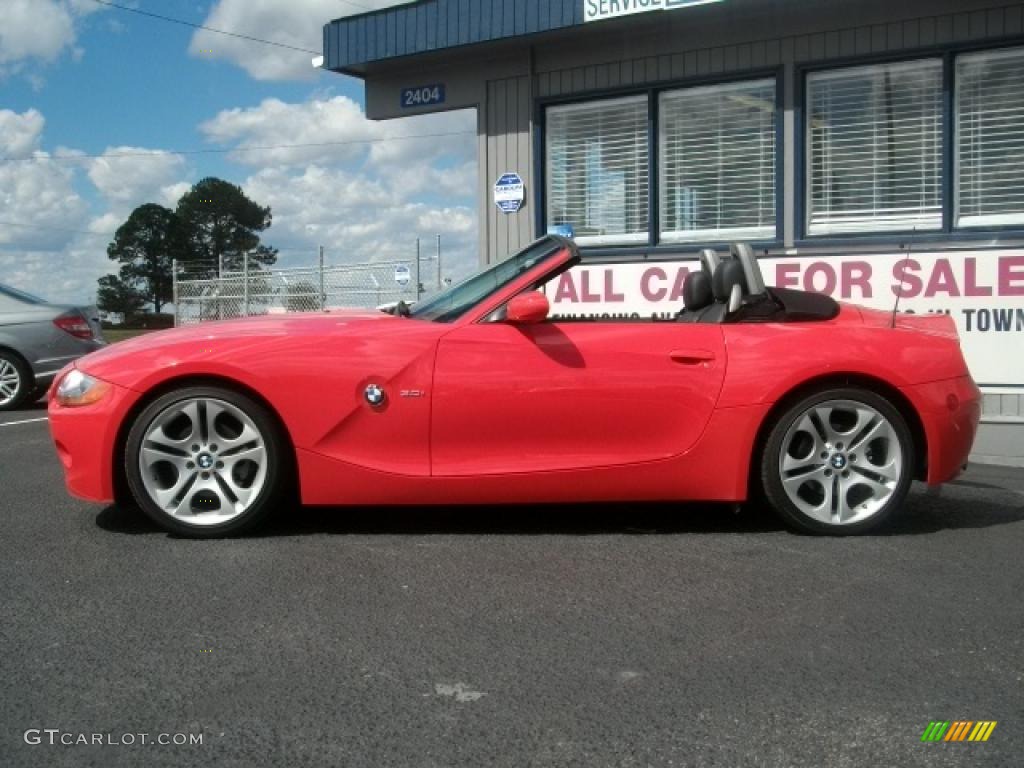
x=221 y=225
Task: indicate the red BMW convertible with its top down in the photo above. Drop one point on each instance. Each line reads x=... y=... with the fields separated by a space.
x=827 y=411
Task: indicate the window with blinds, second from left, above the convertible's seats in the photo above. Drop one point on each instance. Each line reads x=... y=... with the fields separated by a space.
x=717 y=162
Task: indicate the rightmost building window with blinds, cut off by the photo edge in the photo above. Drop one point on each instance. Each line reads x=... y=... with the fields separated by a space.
x=990 y=162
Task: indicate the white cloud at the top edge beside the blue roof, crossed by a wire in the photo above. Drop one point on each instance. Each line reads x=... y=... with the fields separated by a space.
x=295 y=23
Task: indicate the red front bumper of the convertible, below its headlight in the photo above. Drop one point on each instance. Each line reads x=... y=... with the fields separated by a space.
x=86 y=439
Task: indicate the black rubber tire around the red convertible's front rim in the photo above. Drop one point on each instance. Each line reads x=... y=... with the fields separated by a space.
x=277 y=473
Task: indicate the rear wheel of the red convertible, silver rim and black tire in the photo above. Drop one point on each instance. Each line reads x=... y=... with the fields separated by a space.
x=839 y=462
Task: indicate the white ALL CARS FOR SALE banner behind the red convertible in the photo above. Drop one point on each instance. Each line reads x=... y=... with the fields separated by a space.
x=984 y=291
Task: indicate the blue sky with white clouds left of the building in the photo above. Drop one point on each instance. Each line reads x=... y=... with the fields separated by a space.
x=96 y=101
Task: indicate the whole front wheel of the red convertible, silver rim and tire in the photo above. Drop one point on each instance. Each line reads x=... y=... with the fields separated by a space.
x=205 y=462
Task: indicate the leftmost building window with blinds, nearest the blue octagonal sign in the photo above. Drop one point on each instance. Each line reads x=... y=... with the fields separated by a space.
x=598 y=170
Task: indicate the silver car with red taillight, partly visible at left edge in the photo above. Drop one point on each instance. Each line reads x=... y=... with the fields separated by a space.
x=37 y=339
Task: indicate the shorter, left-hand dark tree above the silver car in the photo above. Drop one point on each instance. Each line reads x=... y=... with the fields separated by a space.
x=146 y=246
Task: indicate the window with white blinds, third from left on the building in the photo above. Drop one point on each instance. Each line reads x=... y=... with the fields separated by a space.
x=875 y=149
